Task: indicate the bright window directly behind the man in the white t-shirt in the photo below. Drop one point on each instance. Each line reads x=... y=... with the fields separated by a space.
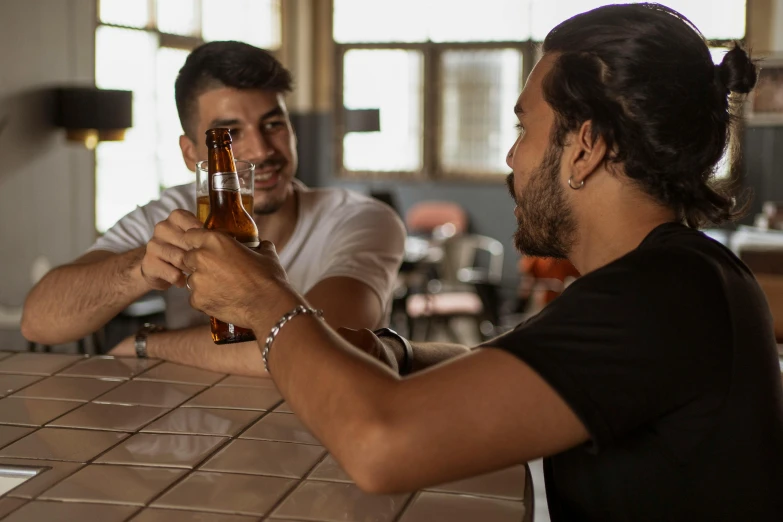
x=140 y=45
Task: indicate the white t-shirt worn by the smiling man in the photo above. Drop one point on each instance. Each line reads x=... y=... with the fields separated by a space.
x=338 y=233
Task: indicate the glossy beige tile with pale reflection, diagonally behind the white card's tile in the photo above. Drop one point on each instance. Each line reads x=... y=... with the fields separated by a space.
x=158 y=449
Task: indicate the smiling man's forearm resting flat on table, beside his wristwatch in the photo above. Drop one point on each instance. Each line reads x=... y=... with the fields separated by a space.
x=194 y=347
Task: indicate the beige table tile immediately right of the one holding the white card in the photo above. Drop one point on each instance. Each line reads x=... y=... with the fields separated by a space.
x=108 y=484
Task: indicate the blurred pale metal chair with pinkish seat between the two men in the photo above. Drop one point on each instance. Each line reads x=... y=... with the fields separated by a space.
x=467 y=286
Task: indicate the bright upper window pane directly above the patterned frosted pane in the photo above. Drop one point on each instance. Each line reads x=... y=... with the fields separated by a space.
x=499 y=20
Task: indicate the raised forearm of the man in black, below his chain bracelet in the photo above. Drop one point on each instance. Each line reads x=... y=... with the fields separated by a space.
x=342 y=394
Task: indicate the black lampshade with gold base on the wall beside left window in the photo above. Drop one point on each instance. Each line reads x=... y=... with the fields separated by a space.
x=104 y=111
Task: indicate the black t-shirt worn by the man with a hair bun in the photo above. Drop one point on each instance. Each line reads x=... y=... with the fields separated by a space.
x=668 y=357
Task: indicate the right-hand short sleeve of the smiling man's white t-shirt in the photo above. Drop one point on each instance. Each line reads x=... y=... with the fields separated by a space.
x=367 y=244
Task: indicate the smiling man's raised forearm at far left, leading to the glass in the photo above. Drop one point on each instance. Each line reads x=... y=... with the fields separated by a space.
x=76 y=299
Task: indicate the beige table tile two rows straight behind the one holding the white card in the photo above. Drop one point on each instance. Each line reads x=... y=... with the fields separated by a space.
x=112 y=417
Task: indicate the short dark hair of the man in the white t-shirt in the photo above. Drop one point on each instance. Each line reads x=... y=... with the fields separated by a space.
x=225 y=64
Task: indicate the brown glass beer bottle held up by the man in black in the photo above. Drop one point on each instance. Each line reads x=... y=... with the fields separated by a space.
x=227 y=214
